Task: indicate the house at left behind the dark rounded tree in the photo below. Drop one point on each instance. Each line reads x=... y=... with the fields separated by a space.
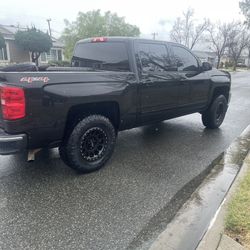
x=12 y=53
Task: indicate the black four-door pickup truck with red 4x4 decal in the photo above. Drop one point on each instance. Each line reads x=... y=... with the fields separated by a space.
x=113 y=84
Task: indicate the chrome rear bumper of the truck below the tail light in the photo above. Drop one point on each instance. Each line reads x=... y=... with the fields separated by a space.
x=12 y=144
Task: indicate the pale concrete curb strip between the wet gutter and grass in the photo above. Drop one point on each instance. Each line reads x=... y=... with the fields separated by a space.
x=215 y=237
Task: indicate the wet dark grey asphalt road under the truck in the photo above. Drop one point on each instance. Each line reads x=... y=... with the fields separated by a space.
x=46 y=205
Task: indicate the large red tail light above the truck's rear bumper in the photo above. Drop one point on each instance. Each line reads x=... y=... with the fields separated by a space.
x=12 y=102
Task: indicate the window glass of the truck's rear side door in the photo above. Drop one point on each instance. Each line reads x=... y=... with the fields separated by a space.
x=153 y=57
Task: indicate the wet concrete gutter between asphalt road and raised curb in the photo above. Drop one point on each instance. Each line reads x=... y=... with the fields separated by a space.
x=196 y=216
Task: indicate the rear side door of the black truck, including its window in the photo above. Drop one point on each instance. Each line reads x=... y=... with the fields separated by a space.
x=159 y=85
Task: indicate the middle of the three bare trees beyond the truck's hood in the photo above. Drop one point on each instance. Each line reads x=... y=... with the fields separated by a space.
x=218 y=37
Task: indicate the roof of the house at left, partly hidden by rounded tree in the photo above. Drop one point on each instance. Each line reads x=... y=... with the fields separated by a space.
x=8 y=32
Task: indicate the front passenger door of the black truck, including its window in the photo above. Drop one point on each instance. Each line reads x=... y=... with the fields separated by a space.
x=191 y=75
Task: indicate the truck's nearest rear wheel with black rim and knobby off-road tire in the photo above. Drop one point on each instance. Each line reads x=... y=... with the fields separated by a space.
x=90 y=144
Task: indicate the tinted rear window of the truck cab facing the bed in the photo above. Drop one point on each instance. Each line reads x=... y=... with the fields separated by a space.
x=111 y=56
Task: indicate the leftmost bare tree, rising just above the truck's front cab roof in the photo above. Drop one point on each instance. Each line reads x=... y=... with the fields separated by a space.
x=186 y=32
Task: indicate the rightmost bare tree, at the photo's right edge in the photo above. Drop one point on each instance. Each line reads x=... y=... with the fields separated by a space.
x=238 y=40
